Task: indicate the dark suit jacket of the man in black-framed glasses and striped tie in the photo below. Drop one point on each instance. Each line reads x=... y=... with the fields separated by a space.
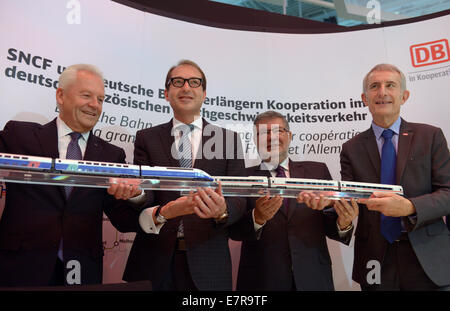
x=207 y=242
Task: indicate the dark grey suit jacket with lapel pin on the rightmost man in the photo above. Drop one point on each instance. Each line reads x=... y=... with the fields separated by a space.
x=423 y=169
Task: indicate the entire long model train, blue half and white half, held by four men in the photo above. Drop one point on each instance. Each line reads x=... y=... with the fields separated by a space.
x=96 y=168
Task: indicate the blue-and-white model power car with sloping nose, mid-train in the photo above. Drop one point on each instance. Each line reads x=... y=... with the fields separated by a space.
x=174 y=172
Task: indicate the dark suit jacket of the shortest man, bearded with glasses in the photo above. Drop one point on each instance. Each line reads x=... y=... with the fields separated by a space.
x=289 y=246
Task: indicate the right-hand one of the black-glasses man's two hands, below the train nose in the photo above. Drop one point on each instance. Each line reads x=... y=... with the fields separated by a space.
x=210 y=203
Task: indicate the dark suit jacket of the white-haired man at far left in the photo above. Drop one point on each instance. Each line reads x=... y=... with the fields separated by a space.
x=36 y=217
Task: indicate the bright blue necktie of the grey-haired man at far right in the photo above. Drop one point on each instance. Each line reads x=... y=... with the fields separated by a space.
x=390 y=226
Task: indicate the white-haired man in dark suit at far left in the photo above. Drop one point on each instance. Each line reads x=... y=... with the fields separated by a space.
x=47 y=232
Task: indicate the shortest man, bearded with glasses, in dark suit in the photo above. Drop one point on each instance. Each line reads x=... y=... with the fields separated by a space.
x=284 y=243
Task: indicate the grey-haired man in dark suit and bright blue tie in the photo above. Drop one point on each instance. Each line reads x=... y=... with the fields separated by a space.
x=414 y=252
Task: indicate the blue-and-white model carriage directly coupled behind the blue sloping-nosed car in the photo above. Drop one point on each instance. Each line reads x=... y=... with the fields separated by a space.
x=96 y=168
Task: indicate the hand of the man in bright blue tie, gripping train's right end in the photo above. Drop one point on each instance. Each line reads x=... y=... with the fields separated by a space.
x=389 y=204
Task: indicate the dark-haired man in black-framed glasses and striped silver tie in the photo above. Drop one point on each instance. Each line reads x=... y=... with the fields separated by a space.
x=182 y=241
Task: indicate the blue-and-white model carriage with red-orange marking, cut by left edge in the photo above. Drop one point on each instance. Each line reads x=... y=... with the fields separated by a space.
x=17 y=161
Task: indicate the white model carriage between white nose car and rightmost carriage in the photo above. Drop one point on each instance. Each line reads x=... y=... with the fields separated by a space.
x=304 y=184
